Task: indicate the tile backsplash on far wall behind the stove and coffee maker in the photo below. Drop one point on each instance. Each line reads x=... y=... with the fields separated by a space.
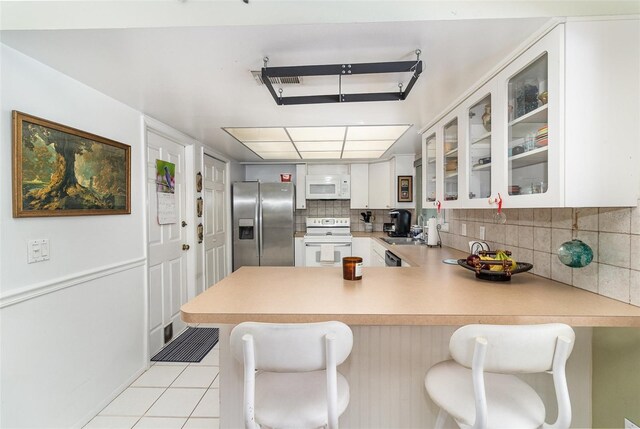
x=341 y=208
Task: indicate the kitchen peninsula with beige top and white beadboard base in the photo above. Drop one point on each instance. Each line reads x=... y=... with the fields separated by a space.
x=402 y=319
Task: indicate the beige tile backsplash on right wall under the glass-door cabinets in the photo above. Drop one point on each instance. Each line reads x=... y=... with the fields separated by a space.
x=534 y=235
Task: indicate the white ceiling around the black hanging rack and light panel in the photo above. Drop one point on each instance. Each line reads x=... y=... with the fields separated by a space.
x=197 y=78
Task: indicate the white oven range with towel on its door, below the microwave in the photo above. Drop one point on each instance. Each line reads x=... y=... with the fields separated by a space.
x=327 y=241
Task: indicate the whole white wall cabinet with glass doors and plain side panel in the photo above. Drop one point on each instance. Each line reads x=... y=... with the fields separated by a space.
x=563 y=132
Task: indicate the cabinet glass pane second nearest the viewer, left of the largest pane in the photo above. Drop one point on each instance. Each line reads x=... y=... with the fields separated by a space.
x=479 y=138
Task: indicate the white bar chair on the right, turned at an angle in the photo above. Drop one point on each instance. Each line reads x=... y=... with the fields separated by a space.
x=477 y=388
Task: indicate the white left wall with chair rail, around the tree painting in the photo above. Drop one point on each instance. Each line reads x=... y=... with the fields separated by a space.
x=72 y=328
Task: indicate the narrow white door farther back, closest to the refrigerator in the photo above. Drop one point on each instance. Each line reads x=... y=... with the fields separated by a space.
x=216 y=253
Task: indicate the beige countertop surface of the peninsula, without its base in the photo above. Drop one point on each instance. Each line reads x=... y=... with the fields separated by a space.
x=428 y=293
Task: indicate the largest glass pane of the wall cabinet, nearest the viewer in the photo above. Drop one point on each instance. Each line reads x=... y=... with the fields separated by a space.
x=528 y=133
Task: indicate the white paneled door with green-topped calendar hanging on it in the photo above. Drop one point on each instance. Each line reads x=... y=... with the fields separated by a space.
x=167 y=258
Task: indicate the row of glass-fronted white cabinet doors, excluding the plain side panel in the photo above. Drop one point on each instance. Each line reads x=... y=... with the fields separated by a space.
x=502 y=139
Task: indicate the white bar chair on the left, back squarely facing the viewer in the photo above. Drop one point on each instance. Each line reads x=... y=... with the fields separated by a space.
x=297 y=384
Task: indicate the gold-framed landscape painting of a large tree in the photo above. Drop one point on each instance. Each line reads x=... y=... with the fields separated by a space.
x=62 y=171
